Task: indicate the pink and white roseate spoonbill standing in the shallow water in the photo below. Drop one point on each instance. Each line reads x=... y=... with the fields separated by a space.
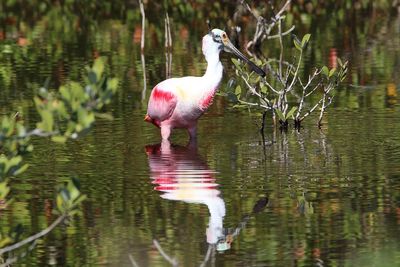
x=179 y=102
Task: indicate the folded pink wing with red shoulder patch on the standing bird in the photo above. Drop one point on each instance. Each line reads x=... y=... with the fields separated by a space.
x=161 y=105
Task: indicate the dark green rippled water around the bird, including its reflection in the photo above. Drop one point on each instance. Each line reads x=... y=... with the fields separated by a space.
x=327 y=197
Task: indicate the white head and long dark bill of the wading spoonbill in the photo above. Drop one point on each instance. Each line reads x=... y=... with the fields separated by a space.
x=217 y=40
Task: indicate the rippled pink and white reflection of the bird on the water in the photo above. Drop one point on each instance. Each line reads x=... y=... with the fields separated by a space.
x=180 y=174
